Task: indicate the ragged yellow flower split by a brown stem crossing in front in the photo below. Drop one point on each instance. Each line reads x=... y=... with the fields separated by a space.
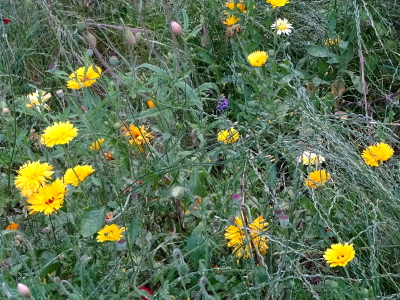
x=235 y=234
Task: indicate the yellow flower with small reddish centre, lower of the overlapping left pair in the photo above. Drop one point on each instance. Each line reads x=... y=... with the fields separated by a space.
x=48 y=198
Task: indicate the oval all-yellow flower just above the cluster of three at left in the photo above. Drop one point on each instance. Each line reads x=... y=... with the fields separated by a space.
x=58 y=134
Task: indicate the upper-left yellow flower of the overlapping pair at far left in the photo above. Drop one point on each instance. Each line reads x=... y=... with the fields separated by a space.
x=32 y=176
